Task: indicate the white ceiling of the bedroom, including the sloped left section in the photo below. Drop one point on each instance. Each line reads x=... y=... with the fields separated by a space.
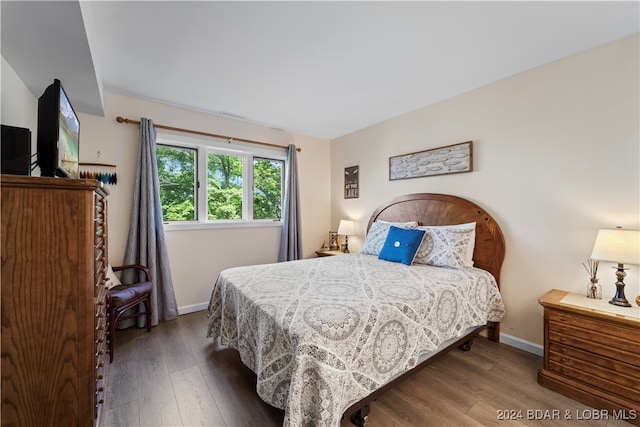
x=324 y=69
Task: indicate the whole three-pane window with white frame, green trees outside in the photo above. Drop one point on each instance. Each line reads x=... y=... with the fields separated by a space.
x=206 y=183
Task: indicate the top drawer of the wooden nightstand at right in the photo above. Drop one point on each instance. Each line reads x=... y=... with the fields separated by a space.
x=585 y=327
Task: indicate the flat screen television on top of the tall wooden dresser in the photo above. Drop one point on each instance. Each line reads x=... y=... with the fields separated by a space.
x=58 y=133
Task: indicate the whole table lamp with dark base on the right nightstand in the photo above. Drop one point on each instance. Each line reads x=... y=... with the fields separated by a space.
x=619 y=246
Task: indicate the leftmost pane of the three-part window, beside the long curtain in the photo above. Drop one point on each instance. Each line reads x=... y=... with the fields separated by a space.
x=176 y=171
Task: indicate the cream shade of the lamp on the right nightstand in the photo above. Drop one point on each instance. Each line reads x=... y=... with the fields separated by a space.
x=617 y=245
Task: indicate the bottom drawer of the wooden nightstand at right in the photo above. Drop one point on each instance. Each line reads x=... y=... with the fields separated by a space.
x=594 y=377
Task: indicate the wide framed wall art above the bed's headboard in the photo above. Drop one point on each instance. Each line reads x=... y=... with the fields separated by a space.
x=456 y=158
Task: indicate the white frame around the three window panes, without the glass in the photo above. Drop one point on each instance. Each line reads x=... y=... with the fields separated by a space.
x=203 y=148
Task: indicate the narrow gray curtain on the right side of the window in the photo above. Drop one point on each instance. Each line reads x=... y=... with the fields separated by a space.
x=291 y=237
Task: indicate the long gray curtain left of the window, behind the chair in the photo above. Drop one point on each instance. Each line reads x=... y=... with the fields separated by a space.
x=146 y=244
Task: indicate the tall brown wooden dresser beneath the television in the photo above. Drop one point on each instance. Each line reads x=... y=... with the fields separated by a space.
x=54 y=259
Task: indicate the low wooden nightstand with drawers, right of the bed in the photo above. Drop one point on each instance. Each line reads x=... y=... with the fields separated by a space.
x=592 y=353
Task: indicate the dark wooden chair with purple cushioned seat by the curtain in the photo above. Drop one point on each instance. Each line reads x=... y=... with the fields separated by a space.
x=124 y=297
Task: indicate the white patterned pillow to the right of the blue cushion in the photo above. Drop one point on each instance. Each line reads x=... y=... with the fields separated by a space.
x=447 y=246
